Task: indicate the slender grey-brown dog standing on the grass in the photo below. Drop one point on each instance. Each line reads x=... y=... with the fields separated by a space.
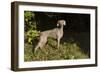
x=56 y=33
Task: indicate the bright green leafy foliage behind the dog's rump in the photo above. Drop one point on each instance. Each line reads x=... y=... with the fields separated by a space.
x=30 y=27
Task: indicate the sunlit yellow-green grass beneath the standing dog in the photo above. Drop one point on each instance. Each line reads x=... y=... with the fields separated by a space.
x=67 y=50
